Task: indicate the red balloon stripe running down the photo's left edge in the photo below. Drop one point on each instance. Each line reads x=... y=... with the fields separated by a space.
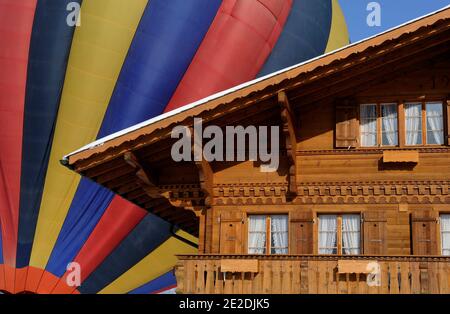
x=16 y=21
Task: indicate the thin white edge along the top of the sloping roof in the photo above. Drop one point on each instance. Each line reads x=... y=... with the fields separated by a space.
x=163 y=116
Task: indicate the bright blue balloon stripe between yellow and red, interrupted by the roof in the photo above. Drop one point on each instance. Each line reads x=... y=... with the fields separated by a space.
x=156 y=61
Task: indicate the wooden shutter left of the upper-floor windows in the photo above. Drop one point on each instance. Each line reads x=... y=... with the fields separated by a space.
x=346 y=125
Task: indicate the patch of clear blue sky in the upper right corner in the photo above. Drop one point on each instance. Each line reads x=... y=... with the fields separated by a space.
x=393 y=13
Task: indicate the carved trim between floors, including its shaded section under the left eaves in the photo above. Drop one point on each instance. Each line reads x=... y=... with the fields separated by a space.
x=192 y=197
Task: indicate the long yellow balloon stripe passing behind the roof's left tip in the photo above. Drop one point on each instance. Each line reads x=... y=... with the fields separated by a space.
x=99 y=48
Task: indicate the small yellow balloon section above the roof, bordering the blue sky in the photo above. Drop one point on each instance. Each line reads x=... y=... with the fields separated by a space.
x=339 y=33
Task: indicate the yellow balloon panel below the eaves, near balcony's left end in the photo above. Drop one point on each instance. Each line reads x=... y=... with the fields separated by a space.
x=157 y=263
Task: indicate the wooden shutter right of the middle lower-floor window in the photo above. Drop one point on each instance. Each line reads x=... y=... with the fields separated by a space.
x=375 y=233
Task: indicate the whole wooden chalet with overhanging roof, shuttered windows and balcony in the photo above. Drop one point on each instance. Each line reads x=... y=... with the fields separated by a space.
x=362 y=191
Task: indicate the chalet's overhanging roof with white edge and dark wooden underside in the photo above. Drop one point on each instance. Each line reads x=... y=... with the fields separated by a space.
x=136 y=163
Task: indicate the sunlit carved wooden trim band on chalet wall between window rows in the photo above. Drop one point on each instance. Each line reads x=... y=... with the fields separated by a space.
x=426 y=192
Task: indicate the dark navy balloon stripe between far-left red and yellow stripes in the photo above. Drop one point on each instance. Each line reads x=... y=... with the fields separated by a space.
x=49 y=50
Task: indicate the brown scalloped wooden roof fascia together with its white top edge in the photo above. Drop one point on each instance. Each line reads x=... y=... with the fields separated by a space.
x=257 y=85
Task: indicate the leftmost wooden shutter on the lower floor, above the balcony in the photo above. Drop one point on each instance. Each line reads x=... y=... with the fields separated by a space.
x=231 y=232
